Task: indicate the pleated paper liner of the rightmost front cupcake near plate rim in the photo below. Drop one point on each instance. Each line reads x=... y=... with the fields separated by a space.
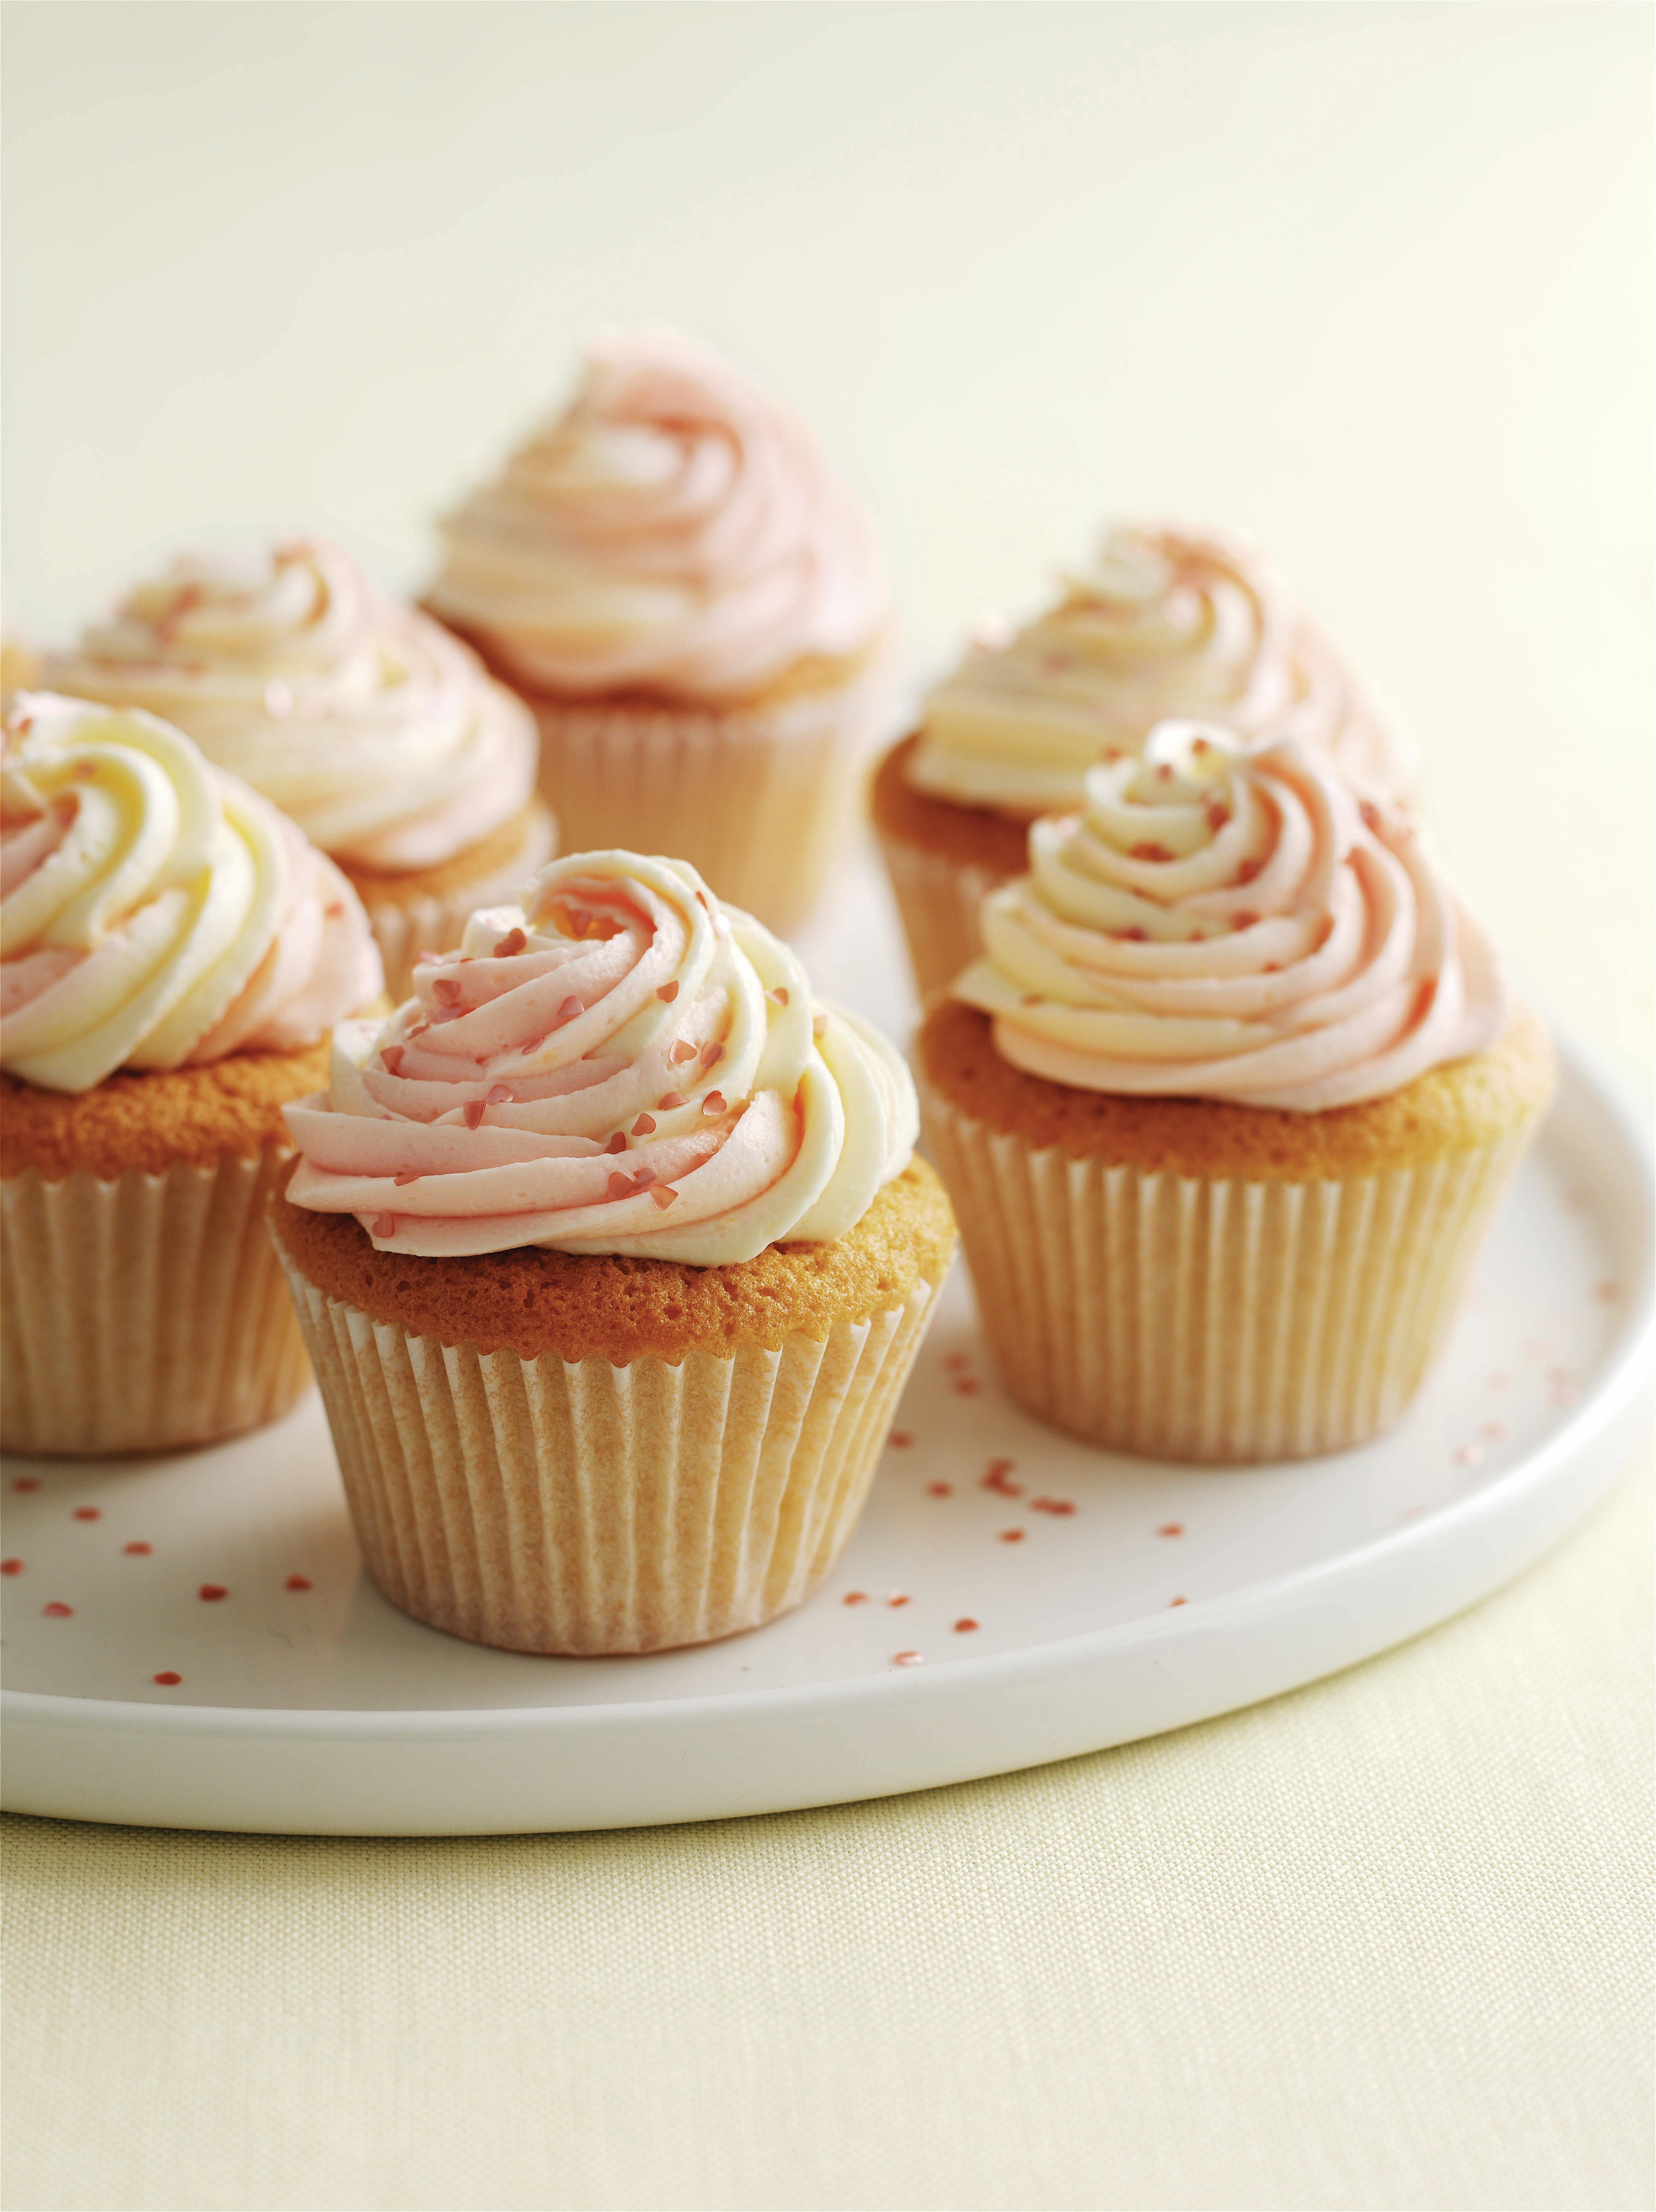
x=1213 y=1319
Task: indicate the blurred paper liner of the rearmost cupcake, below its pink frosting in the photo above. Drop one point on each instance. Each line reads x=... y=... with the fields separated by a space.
x=757 y=800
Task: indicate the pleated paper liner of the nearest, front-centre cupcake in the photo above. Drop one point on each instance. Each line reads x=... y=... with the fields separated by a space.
x=580 y=1507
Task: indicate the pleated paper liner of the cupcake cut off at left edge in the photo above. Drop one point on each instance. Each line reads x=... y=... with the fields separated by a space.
x=145 y=1313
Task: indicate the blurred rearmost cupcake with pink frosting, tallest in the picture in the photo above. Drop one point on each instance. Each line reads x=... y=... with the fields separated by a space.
x=693 y=607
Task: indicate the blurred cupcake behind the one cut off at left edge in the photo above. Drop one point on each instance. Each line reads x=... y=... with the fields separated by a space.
x=359 y=718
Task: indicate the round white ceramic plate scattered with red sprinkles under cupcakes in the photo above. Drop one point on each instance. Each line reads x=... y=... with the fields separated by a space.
x=191 y=1640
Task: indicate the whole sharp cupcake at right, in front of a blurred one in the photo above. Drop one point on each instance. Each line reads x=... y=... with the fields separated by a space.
x=1226 y=1107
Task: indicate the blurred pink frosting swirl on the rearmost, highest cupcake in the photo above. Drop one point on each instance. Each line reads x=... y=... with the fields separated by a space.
x=673 y=532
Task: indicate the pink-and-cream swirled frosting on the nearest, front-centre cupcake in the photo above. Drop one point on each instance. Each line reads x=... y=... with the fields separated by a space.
x=620 y=1065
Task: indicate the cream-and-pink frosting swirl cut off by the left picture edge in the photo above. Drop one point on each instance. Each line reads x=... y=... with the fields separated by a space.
x=156 y=912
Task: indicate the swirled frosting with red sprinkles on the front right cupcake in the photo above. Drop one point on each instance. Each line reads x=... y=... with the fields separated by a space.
x=1233 y=924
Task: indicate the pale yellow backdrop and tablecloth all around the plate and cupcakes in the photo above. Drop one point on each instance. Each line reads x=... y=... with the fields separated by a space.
x=1370 y=282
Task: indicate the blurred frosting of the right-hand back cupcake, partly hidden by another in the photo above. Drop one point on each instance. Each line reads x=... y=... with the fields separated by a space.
x=1166 y=623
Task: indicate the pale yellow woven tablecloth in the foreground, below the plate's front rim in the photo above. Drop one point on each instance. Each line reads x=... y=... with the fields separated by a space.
x=1383 y=1943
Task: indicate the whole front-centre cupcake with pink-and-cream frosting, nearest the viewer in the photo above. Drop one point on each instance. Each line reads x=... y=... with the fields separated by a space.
x=614 y=1260
